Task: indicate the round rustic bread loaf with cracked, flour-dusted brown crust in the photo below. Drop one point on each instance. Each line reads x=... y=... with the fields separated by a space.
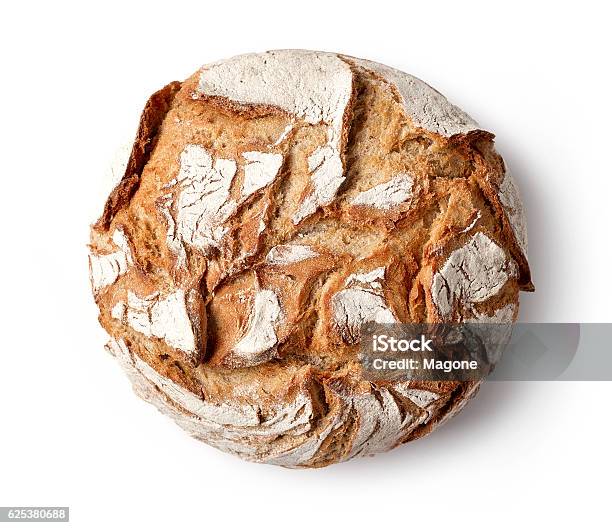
x=272 y=204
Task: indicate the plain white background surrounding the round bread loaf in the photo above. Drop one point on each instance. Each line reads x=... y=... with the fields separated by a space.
x=74 y=78
